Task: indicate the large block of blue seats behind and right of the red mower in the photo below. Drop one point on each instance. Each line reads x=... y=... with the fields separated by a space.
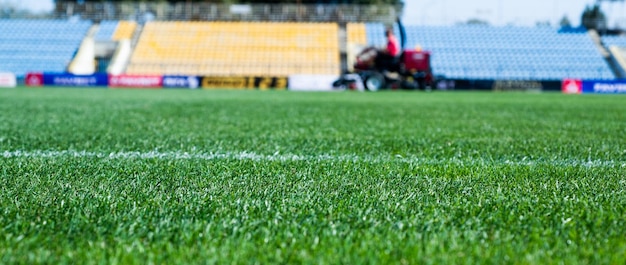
x=504 y=53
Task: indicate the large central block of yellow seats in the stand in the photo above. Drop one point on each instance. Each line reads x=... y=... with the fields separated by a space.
x=236 y=48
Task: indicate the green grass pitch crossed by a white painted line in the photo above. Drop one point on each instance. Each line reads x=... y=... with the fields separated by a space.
x=177 y=176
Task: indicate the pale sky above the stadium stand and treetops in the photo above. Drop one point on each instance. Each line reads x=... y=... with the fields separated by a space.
x=448 y=12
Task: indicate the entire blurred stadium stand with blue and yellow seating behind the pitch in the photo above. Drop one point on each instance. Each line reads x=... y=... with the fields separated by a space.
x=283 y=39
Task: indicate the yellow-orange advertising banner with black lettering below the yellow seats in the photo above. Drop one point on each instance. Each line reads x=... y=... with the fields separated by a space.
x=243 y=82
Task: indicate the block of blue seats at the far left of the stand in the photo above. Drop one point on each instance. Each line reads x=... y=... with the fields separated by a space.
x=39 y=45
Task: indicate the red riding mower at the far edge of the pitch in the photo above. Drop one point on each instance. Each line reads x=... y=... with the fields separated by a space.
x=410 y=70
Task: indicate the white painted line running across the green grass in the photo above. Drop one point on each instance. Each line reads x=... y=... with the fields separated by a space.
x=252 y=156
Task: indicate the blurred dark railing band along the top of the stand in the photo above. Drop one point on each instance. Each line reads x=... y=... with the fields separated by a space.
x=192 y=11
